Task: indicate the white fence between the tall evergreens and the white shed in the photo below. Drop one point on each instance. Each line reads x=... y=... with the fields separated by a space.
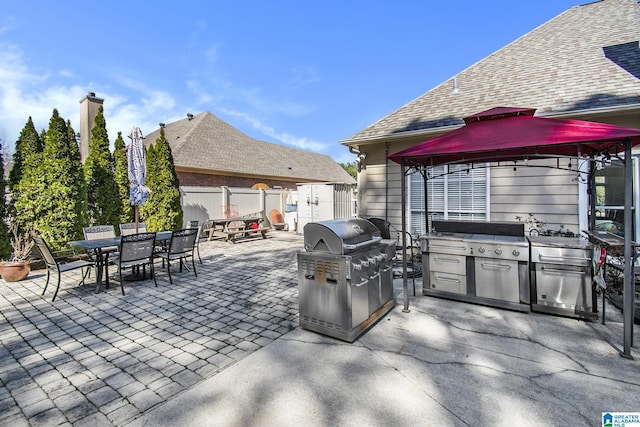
x=203 y=203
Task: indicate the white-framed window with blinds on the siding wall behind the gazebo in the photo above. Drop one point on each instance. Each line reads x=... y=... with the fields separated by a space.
x=455 y=192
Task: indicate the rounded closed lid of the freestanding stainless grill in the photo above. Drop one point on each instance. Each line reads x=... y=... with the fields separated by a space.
x=340 y=236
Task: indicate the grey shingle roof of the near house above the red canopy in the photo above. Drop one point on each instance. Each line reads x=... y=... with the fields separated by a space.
x=588 y=57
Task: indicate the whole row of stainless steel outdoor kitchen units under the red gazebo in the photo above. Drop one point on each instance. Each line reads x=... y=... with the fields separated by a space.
x=494 y=263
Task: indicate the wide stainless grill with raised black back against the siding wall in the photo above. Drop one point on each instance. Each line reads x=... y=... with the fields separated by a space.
x=480 y=262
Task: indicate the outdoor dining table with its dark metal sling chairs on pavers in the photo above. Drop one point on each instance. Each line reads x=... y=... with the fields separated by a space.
x=131 y=250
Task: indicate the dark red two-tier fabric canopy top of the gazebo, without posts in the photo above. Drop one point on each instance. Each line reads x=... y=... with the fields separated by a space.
x=505 y=133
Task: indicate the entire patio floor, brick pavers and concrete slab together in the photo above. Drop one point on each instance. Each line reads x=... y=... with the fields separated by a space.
x=226 y=349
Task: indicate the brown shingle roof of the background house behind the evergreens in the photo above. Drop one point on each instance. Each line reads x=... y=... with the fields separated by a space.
x=205 y=142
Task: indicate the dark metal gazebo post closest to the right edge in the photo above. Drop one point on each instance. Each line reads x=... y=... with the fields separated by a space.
x=628 y=285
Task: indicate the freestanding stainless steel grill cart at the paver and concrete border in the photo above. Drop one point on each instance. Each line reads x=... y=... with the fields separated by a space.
x=345 y=277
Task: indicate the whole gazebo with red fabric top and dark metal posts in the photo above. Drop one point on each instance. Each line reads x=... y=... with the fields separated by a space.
x=512 y=134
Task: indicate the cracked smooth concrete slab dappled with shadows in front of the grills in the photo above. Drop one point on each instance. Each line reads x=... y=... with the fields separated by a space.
x=444 y=363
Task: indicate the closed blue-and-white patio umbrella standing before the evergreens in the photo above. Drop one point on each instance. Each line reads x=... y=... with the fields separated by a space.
x=137 y=170
